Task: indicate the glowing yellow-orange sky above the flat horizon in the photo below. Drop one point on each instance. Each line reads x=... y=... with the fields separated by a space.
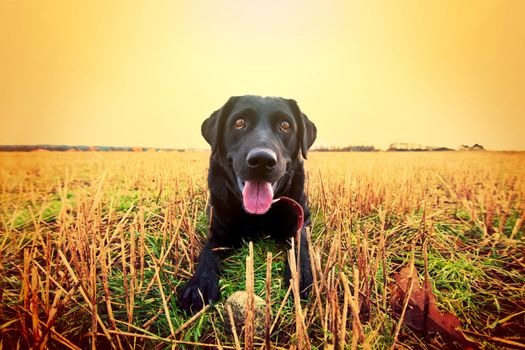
x=147 y=73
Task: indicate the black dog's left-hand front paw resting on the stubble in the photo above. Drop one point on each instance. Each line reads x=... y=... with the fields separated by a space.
x=200 y=291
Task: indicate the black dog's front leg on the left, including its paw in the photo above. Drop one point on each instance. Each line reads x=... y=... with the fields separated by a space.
x=203 y=287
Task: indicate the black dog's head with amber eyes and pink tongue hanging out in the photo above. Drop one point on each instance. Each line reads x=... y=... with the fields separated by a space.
x=259 y=138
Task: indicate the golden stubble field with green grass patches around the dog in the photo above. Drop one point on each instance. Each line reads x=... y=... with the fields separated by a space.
x=95 y=246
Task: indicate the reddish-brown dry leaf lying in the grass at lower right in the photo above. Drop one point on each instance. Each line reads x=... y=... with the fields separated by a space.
x=421 y=317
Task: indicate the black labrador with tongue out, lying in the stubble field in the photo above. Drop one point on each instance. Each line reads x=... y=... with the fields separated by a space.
x=258 y=146
